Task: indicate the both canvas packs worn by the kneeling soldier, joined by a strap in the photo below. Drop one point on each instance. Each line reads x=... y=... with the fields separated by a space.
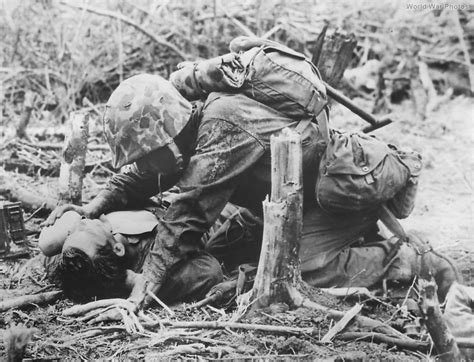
x=357 y=172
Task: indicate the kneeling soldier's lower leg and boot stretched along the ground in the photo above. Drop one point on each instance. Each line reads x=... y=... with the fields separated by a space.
x=367 y=265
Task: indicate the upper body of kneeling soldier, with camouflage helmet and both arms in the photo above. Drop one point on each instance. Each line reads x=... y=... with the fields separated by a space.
x=214 y=153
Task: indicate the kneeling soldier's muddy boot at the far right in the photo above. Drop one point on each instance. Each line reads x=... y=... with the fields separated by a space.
x=416 y=258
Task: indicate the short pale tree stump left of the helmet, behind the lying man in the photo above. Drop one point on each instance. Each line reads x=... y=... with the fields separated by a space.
x=71 y=173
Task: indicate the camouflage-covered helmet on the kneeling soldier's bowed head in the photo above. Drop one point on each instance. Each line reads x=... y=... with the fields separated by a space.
x=144 y=113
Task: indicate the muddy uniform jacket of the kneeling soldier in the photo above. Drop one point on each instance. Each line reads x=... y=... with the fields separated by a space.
x=230 y=162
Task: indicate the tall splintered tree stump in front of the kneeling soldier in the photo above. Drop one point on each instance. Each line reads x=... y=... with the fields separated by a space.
x=278 y=276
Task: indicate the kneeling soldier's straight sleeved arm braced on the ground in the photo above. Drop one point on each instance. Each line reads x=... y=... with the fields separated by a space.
x=223 y=153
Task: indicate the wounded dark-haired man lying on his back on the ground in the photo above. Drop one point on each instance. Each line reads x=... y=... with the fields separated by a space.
x=100 y=258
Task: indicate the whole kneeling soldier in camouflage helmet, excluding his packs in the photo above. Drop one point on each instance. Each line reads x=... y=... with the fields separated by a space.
x=219 y=152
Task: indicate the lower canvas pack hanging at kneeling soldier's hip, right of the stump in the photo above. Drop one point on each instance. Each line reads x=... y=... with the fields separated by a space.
x=358 y=172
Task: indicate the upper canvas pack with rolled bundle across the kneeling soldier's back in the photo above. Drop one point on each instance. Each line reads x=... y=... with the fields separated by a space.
x=269 y=73
